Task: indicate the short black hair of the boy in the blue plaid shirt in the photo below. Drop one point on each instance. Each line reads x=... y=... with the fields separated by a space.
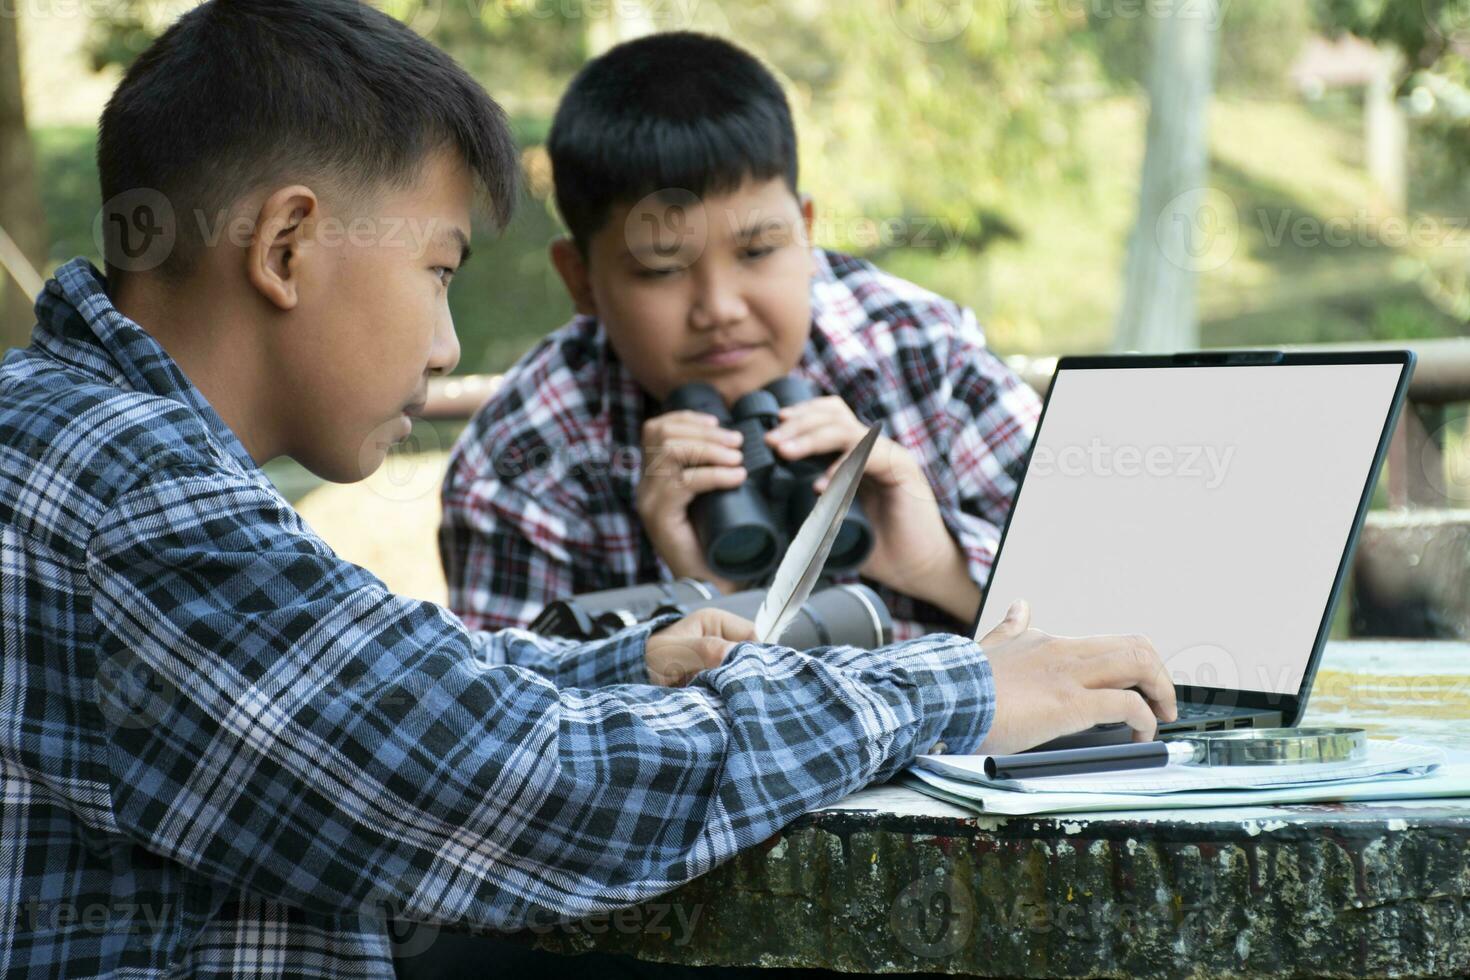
x=242 y=93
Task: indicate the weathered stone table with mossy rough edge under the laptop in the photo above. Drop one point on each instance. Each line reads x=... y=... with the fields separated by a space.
x=893 y=882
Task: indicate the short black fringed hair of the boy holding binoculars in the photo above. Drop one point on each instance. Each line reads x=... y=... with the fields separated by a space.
x=674 y=111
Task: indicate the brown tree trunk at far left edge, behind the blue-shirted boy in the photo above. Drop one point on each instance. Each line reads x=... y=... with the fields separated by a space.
x=20 y=205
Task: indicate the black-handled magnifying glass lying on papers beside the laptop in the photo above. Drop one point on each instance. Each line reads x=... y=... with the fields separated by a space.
x=1243 y=747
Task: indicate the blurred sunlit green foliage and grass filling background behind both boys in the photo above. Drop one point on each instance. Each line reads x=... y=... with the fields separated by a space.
x=986 y=151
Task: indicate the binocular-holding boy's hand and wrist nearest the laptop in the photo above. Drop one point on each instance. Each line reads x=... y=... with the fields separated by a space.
x=914 y=552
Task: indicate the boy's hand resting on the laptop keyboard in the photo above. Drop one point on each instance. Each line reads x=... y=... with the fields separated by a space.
x=1047 y=687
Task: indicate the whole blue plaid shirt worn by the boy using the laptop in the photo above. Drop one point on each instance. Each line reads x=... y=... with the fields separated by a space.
x=226 y=752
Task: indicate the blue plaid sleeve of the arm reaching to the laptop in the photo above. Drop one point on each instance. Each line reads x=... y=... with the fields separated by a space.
x=312 y=738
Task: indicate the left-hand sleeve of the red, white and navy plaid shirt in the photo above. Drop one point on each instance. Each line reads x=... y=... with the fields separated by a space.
x=506 y=553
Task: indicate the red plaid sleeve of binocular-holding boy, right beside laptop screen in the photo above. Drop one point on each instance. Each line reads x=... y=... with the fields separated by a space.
x=993 y=418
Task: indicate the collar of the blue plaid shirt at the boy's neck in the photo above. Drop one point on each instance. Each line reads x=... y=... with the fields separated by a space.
x=79 y=325
